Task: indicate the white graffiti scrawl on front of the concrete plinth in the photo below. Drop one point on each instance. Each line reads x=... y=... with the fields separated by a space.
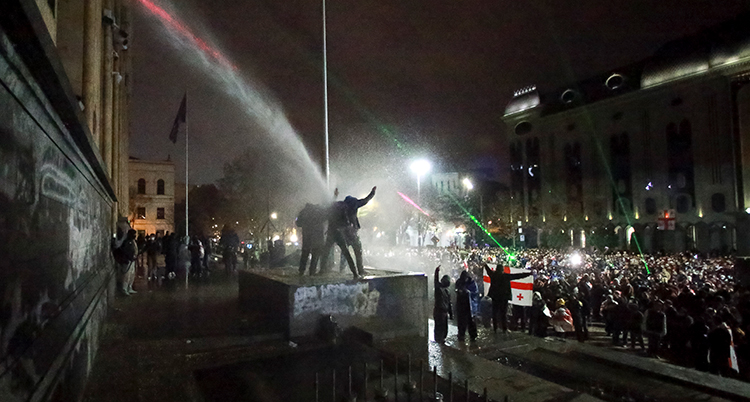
x=337 y=299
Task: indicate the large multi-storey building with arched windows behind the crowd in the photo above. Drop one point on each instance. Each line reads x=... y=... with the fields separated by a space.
x=651 y=156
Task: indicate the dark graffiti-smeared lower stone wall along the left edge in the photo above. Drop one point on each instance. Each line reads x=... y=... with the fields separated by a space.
x=55 y=225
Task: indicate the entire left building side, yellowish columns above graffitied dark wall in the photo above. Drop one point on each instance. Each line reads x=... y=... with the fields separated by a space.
x=64 y=79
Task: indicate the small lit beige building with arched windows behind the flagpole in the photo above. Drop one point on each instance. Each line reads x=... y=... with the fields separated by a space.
x=152 y=196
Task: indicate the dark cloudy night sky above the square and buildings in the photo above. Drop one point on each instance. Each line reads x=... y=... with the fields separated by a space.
x=406 y=78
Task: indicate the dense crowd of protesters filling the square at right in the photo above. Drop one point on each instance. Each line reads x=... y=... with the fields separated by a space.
x=686 y=308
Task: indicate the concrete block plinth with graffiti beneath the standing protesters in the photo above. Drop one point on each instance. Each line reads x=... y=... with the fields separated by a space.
x=383 y=305
